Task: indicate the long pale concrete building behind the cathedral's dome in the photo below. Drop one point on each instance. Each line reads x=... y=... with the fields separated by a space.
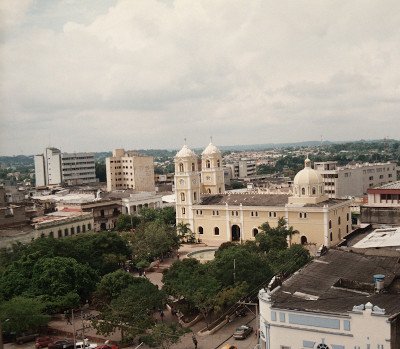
x=354 y=180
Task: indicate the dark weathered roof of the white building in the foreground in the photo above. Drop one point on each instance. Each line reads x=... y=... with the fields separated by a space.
x=328 y=284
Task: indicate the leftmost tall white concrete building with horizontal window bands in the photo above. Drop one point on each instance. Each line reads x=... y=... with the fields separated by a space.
x=54 y=168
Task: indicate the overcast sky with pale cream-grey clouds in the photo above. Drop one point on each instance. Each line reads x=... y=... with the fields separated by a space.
x=86 y=75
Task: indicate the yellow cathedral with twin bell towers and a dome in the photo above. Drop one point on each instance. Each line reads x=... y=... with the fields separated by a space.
x=216 y=216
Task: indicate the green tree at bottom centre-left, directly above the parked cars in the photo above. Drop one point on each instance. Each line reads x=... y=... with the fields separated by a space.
x=131 y=311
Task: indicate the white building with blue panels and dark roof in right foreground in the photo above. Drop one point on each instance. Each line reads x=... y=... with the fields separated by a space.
x=342 y=300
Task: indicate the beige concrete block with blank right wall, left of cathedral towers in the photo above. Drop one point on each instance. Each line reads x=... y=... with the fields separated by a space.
x=130 y=170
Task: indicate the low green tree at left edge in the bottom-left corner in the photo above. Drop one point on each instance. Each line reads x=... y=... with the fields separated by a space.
x=22 y=315
